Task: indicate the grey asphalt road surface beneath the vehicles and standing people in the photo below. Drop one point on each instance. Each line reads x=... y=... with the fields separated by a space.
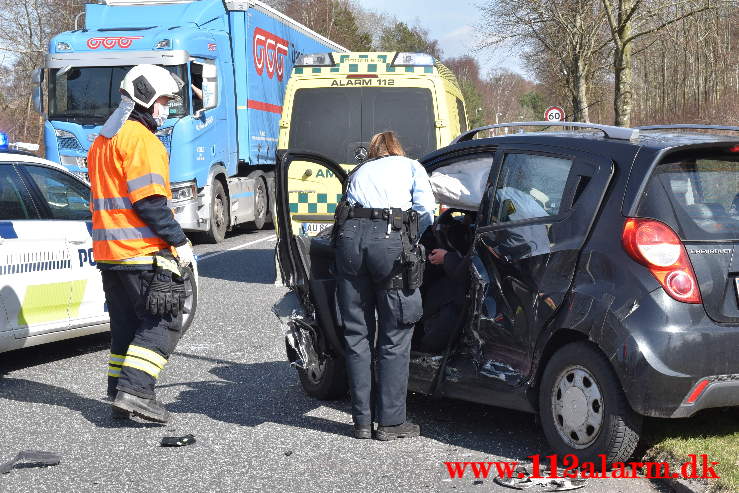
x=229 y=385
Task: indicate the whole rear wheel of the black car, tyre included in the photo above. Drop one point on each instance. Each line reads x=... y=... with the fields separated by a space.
x=583 y=408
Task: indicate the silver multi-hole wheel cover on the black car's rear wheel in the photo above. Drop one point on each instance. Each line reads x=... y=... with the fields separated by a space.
x=577 y=407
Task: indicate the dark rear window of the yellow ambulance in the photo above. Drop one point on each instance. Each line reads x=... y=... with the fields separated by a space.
x=337 y=121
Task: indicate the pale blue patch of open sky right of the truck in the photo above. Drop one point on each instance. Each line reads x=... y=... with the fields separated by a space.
x=452 y=22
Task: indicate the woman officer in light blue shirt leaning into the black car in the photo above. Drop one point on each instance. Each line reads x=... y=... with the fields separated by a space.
x=389 y=201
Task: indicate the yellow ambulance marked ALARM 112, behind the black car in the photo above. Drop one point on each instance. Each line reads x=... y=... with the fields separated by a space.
x=334 y=104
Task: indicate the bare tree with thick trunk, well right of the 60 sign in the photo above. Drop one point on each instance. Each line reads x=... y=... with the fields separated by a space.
x=630 y=21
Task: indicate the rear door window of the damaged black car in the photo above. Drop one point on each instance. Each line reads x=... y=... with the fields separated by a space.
x=530 y=186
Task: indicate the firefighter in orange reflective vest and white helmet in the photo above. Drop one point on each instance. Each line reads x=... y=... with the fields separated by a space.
x=136 y=239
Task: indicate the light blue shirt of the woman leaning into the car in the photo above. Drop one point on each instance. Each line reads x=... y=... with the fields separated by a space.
x=394 y=182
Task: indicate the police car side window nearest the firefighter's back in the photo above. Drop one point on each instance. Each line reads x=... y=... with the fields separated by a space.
x=66 y=197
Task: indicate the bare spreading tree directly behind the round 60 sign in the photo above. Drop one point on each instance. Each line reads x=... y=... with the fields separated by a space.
x=568 y=33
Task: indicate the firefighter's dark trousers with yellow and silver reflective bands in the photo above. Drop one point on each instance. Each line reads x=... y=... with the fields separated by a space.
x=141 y=342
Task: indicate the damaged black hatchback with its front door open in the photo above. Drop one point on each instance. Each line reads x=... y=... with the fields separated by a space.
x=592 y=277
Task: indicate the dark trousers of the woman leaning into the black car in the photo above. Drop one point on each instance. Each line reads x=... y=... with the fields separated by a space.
x=365 y=260
